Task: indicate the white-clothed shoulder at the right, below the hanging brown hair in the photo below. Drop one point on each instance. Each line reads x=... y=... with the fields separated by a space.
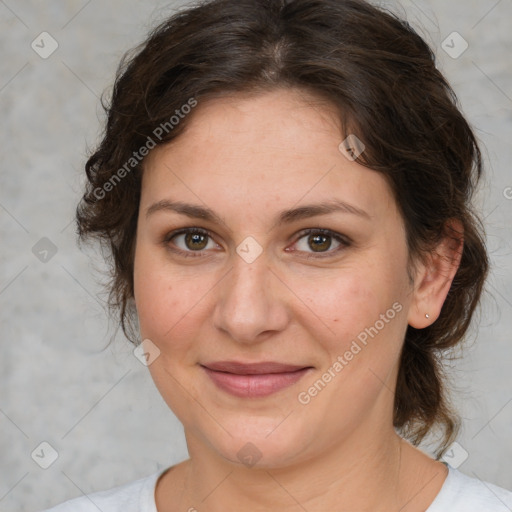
x=463 y=493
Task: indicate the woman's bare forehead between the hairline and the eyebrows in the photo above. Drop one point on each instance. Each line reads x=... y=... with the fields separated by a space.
x=276 y=148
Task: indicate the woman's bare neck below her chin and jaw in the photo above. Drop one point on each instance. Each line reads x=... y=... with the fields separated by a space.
x=353 y=475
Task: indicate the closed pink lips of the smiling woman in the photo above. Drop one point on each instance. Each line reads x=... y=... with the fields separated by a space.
x=253 y=380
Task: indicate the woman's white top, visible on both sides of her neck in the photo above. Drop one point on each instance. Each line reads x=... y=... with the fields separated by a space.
x=459 y=493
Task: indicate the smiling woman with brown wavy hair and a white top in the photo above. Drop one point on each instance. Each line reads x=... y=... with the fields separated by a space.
x=285 y=188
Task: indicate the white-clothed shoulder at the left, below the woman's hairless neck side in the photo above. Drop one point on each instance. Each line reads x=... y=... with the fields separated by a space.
x=136 y=496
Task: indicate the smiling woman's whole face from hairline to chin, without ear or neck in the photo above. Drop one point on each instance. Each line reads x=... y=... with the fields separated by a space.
x=304 y=264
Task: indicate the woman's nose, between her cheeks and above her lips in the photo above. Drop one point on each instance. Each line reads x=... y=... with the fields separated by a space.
x=251 y=302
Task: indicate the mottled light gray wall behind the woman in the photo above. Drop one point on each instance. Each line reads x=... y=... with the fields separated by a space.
x=99 y=408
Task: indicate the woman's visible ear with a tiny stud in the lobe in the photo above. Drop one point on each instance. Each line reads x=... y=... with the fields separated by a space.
x=434 y=277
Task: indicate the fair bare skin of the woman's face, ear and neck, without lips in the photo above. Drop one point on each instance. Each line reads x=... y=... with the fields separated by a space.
x=247 y=158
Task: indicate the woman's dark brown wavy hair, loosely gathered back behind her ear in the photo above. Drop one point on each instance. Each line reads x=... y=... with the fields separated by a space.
x=380 y=75
